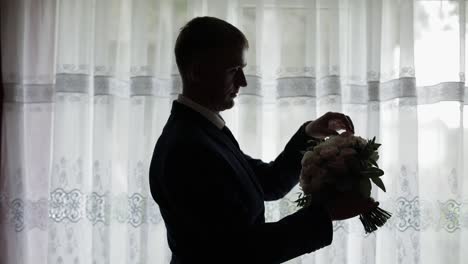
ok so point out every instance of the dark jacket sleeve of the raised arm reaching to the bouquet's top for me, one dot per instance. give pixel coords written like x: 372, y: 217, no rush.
x: 281, y: 175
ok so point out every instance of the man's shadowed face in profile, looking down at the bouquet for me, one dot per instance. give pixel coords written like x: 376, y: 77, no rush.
x: 223, y: 79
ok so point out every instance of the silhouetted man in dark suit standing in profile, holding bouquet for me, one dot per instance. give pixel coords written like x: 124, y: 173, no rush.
x: 211, y: 195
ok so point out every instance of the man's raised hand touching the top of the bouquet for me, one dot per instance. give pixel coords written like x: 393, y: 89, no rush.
x: 328, y: 124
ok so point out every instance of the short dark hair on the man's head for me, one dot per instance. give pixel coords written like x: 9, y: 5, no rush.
x: 203, y: 36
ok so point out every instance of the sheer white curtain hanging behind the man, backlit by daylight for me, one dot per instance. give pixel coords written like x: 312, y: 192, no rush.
x: 89, y: 83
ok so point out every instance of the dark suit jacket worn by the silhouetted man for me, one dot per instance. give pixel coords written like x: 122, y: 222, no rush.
x: 211, y: 196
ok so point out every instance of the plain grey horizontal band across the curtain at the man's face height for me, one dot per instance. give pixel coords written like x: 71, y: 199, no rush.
x: 373, y: 91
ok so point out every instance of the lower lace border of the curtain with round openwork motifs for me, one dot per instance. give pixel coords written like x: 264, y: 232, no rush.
x: 137, y: 209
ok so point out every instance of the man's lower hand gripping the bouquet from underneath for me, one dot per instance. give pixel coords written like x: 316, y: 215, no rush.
x: 348, y: 205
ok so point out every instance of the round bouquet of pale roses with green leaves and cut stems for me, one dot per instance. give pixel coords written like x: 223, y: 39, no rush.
x: 352, y: 161
